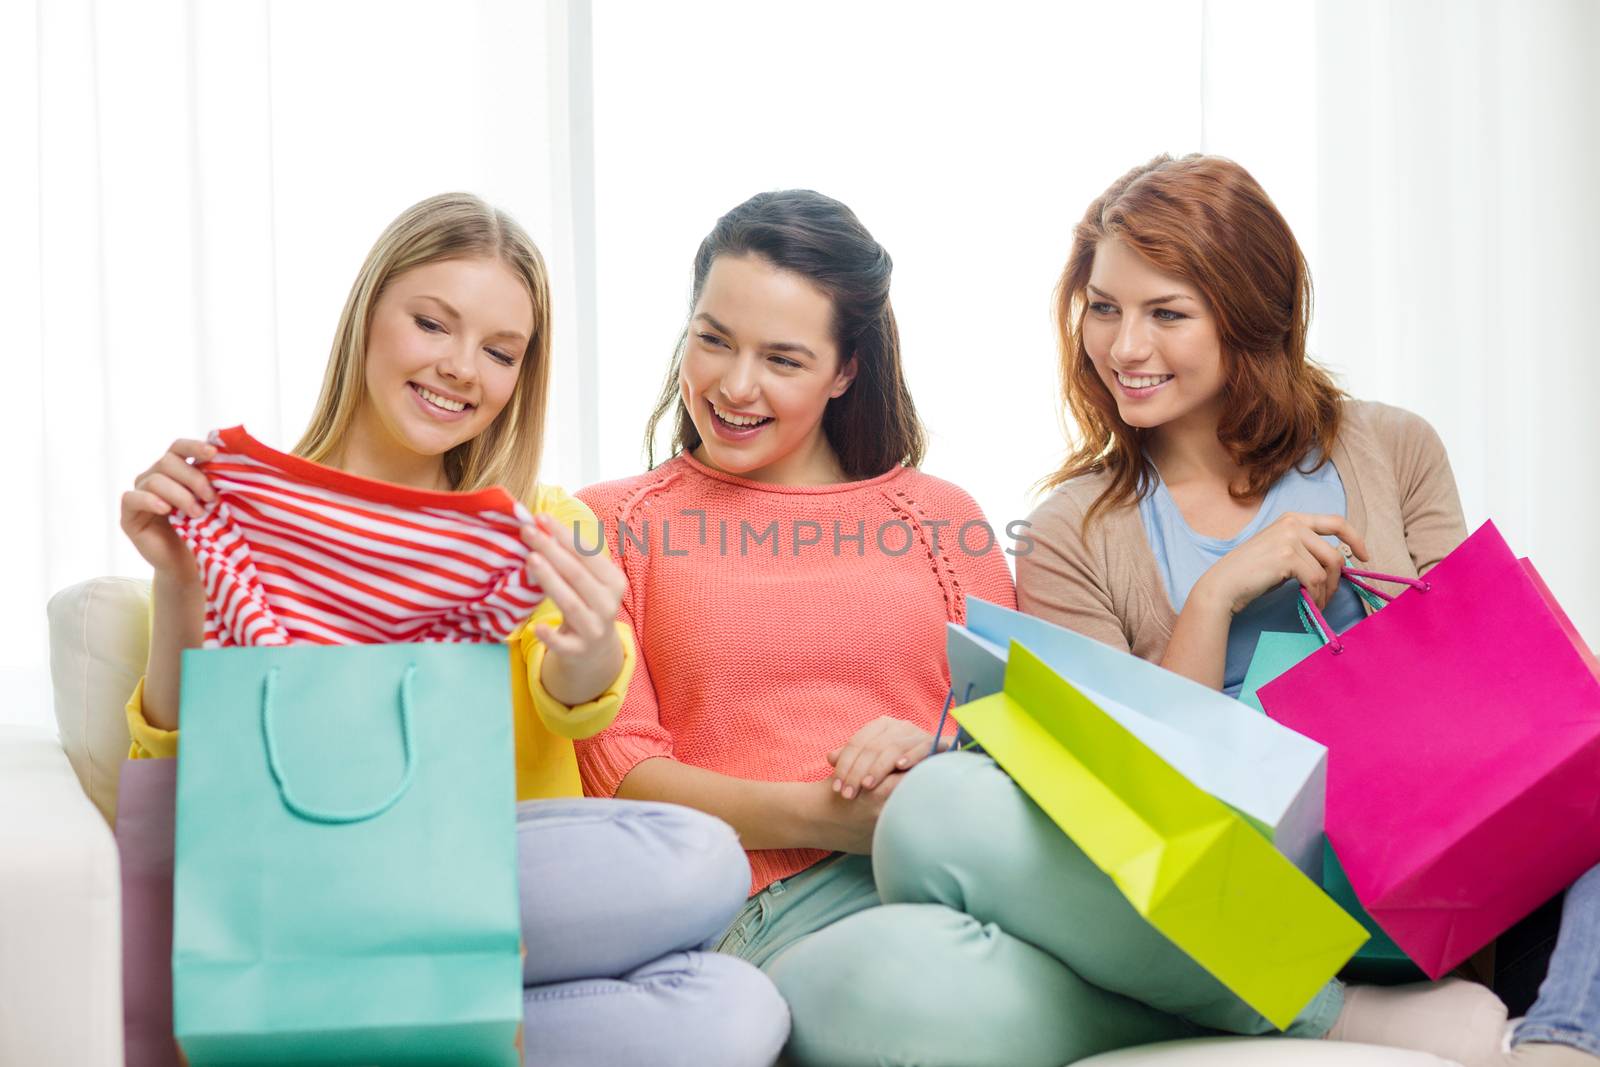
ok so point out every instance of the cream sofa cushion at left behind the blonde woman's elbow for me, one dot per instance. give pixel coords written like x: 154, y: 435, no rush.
x: 100, y: 633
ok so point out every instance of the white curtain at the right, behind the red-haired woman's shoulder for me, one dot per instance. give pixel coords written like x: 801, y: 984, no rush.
x: 1460, y: 222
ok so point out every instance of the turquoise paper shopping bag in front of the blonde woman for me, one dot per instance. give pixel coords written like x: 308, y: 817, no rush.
x: 346, y: 857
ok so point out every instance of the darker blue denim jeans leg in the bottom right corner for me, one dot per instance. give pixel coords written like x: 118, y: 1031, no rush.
x: 1569, y: 1007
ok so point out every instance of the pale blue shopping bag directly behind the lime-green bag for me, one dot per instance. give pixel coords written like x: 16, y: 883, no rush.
x: 1268, y: 773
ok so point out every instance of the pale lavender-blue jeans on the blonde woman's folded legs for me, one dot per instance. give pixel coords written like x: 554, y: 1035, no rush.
x: 618, y: 903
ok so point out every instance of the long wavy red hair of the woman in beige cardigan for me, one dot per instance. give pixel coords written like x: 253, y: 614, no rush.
x: 1204, y: 220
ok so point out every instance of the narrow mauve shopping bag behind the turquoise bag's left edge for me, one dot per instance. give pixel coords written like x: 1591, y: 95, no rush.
x: 146, y: 797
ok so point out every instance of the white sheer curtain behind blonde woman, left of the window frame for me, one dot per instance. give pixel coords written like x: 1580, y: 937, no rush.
x: 191, y: 188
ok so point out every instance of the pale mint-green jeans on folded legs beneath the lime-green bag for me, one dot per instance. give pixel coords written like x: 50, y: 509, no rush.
x: 978, y: 937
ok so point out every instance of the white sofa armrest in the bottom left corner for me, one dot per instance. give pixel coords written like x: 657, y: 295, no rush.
x: 60, y: 913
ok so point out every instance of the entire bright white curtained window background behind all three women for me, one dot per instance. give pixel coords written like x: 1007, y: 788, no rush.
x: 194, y: 186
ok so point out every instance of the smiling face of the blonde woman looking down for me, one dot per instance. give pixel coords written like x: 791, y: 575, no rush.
x: 444, y: 353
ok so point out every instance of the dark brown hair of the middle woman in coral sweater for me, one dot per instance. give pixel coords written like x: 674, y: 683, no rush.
x: 874, y: 425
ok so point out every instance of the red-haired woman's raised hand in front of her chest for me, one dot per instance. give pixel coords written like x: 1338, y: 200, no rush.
x: 1290, y: 548
